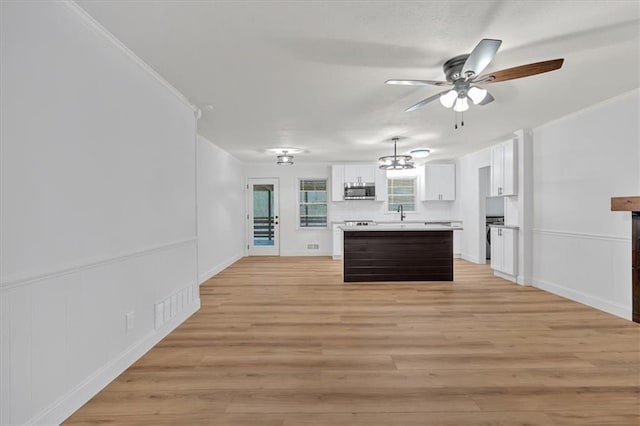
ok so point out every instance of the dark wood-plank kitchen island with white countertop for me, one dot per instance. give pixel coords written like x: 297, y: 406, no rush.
x: 405, y: 252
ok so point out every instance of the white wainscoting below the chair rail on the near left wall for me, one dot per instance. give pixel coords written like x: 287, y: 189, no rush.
x: 71, y: 329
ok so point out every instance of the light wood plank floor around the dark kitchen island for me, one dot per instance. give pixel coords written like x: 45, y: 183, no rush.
x: 282, y: 341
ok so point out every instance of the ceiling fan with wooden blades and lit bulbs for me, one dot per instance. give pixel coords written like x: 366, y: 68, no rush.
x: 463, y: 73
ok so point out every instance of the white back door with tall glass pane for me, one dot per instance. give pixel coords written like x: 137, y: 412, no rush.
x: 263, y: 217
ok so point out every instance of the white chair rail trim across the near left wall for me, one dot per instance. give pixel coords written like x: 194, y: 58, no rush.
x: 13, y: 282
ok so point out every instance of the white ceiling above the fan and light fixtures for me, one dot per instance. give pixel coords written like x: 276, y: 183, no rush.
x: 310, y: 74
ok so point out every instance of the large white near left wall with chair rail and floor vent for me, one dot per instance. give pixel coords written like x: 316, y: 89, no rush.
x: 98, y: 215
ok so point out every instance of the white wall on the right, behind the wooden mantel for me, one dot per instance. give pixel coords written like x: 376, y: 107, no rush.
x: 582, y: 250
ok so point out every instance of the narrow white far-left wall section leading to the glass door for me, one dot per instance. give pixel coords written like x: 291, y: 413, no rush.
x: 221, y: 209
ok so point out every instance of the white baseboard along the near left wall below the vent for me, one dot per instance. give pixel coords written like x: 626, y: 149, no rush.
x: 66, y: 405
